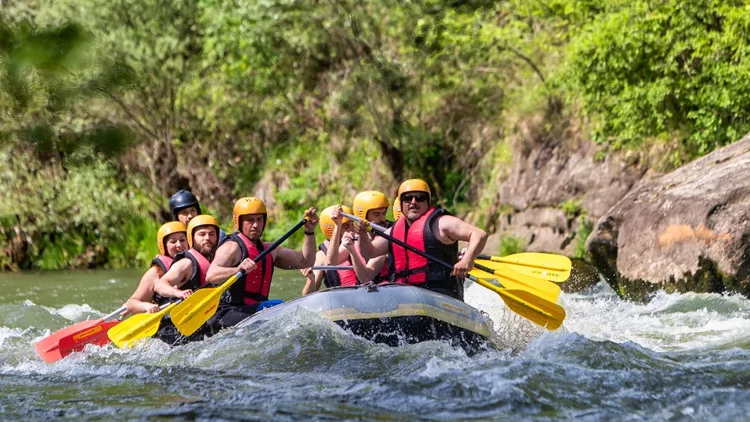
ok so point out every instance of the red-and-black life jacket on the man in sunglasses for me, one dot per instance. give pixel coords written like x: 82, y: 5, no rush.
x: 414, y: 269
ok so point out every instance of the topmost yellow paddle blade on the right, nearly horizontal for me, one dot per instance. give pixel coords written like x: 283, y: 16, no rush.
x: 543, y: 265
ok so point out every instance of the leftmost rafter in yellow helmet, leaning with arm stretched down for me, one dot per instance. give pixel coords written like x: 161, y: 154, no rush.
x: 171, y: 240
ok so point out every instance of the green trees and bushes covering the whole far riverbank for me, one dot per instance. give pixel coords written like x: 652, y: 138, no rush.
x: 307, y: 103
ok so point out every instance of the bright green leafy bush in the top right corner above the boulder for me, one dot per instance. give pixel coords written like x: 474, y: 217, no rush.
x: 670, y: 70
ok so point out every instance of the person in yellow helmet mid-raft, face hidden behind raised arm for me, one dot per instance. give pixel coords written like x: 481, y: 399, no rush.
x: 331, y: 278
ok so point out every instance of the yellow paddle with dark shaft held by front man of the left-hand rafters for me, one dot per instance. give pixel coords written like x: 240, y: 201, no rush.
x: 201, y: 305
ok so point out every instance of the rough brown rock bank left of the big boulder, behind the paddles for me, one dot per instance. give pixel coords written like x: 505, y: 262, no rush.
x: 554, y: 188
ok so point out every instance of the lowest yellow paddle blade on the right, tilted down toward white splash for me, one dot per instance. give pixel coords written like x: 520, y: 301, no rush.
x: 537, y: 310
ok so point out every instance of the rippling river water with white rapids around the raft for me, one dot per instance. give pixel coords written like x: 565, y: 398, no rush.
x: 680, y: 357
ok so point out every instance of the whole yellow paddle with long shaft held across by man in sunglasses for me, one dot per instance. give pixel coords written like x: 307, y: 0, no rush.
x: 523, y: 302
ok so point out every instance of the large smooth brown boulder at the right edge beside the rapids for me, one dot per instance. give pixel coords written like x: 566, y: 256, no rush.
x: 688, y: 230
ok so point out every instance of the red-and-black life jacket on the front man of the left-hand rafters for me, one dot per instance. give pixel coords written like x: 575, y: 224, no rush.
x: 254, y: 286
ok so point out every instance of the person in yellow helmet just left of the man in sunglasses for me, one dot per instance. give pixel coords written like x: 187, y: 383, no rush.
x: 371, y: 206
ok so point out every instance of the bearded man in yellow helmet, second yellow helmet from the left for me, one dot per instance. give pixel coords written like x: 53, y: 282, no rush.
x: 187, y: 273
